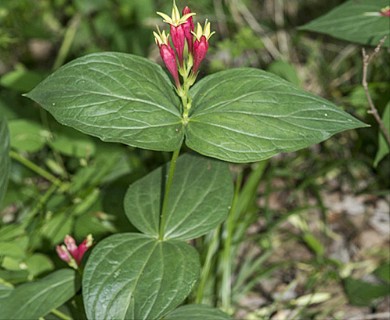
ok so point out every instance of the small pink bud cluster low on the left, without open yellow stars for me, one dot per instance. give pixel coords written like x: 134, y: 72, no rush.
x: 71, y: 253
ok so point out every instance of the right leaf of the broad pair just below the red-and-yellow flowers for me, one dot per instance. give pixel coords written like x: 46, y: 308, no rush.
x: 246, y: 115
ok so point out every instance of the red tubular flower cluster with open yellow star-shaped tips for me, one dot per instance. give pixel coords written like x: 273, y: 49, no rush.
x: 189, y: 47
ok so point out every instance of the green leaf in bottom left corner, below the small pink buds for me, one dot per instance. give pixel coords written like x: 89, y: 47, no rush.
x: 36, y: 299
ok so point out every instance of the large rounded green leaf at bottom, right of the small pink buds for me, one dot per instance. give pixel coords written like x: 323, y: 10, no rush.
x: 131, y: 276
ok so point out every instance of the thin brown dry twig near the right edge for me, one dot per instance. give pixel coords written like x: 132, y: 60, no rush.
x: 367, y: 58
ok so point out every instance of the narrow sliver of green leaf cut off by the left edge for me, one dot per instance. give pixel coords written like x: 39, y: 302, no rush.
x: 4, y: 158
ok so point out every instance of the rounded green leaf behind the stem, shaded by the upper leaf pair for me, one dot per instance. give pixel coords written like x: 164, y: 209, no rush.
x: 201, y: 194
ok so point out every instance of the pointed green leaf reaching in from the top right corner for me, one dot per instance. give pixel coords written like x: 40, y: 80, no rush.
x: 356, y: 21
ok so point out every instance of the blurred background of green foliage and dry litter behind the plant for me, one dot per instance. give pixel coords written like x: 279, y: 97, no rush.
x: 295, y: 246
